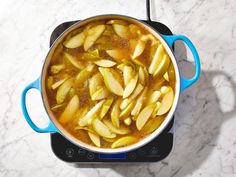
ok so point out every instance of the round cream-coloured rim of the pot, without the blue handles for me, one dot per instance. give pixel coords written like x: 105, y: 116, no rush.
x: 80, y: 143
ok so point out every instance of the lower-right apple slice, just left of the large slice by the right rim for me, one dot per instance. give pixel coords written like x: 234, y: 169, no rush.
x: 144, y: 115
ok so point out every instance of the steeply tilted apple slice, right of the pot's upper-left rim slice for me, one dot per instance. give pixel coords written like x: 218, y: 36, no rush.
x: 93, y: 34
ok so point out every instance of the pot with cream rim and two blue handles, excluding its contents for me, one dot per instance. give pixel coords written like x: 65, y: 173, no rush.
x: 53, y: 125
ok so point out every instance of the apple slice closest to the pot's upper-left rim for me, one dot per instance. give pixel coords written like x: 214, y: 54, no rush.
x: 75, y: 41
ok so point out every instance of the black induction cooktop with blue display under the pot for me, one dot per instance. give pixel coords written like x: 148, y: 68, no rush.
x: 154, y: 151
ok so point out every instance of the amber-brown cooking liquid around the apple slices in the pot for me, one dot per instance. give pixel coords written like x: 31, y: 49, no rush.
x: 109, y: 39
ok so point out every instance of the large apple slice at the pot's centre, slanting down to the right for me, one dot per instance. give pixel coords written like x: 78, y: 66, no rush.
x: 111, y: 82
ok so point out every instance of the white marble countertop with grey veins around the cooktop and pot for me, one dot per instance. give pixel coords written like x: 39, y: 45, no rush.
x: 206, y: 115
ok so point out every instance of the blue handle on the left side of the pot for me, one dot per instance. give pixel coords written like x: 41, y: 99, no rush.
x: 50, y: 127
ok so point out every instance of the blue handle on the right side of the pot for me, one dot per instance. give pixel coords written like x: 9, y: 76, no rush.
x: 185, y: 83
